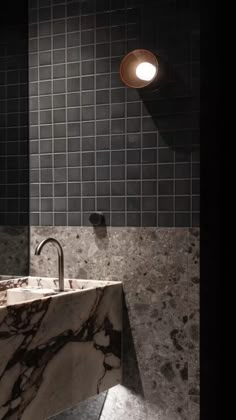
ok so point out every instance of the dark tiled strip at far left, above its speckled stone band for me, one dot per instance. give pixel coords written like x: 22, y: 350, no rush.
x: 14, y: 139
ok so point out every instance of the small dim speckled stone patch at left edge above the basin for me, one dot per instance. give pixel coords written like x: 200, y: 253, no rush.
x: 14, y: 250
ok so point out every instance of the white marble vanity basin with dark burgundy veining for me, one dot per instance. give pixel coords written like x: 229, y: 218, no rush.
x: 57, y: 349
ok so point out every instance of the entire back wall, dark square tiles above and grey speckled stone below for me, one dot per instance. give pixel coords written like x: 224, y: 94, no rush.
x: 97, y: 146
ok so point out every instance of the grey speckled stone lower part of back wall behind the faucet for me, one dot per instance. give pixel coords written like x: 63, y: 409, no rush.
x: 159, y: 268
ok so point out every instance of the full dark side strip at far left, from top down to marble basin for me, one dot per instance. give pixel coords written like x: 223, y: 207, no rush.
x: 14, y: 141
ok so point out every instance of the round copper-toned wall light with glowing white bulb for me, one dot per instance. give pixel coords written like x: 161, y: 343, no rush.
x: 139, y: 69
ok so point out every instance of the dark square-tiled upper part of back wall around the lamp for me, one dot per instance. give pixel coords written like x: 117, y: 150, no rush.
x: 96, y: 145
